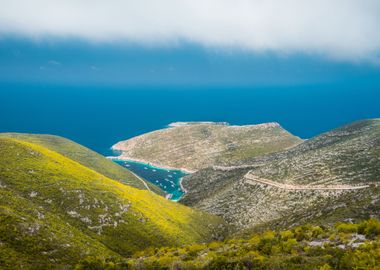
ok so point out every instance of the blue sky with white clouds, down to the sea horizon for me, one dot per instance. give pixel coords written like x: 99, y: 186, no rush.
x: 241, y: 42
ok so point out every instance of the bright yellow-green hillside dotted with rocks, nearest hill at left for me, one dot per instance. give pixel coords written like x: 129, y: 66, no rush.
x: 55, y: 211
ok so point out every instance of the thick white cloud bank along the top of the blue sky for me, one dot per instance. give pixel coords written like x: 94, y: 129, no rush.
x: 343, y: 29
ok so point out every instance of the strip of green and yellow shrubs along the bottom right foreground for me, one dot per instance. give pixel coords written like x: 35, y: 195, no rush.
x: 344, y: 246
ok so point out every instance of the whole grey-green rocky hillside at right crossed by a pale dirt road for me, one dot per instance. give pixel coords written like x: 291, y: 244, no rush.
x: 328, y: 178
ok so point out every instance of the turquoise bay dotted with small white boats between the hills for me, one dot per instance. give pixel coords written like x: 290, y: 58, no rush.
x: 167, y: 180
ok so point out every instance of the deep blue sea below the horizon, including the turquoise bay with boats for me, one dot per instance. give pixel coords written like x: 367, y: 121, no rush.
x: 100, y: 116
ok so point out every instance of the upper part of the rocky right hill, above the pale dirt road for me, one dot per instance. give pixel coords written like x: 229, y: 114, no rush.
x: 346, y: 155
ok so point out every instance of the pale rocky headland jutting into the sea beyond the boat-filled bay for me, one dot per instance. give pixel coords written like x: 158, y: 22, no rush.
x: 193, y: 146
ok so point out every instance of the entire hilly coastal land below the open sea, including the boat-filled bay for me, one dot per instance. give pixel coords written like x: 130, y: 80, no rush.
x: 71, y: 207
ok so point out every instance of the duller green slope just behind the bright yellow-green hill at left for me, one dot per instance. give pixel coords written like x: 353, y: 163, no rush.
x: 85, y: 157
